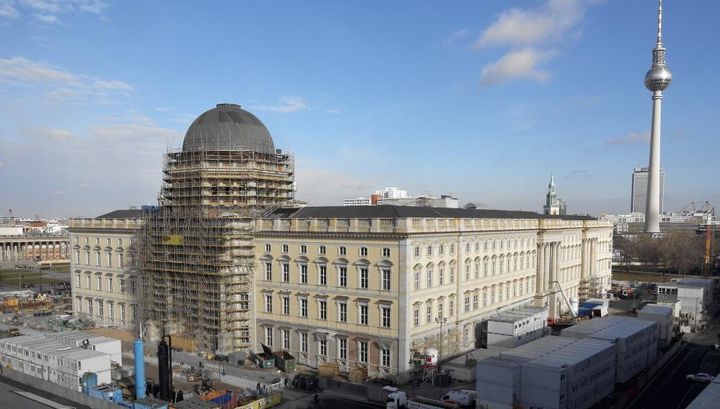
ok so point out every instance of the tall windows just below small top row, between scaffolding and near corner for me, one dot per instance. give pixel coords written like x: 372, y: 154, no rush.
x: 341, y: 275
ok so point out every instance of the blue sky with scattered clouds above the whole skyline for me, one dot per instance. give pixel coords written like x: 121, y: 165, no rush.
x: 481, y: 100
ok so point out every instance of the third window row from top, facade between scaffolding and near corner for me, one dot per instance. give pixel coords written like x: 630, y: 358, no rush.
x: 322, y: 310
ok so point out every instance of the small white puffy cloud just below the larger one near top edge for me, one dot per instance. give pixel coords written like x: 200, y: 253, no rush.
x: 518, y: 64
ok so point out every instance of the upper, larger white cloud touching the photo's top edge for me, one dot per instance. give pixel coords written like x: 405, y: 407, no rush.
x: 522, y: 27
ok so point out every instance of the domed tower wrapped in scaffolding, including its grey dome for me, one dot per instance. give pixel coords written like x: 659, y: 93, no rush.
x: 197, y: 251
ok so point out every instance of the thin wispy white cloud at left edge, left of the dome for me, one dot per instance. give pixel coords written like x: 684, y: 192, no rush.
x: 54, y: 85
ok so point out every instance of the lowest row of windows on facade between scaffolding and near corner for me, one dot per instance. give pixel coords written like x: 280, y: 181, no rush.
x: 321, y: 347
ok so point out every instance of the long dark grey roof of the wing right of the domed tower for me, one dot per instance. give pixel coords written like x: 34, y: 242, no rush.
x: 392, y: 211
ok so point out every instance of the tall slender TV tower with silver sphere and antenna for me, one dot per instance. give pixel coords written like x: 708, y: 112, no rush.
x: 656, y: 80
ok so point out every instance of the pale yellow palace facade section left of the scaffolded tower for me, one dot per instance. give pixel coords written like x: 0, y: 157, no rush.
x: 105, y: 288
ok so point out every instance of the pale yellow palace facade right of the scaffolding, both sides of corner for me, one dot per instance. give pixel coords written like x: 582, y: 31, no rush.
x: 461, y: 269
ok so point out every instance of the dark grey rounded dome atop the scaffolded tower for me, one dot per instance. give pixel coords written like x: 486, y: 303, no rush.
x: 228, y: 127
